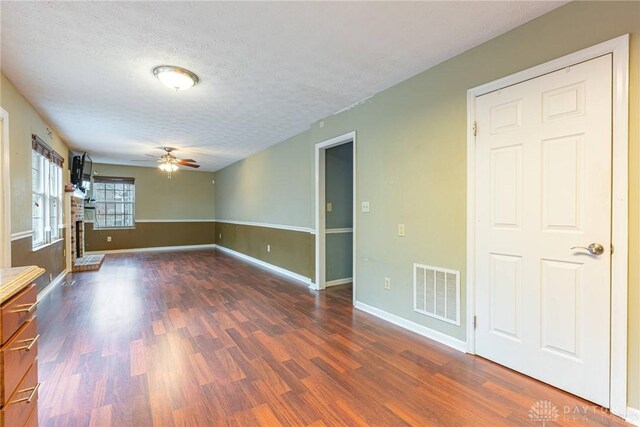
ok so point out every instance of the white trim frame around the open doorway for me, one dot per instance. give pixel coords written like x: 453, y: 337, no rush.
x: 320, y: 150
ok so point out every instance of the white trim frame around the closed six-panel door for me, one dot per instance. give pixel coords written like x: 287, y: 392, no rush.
x: 619, y: 47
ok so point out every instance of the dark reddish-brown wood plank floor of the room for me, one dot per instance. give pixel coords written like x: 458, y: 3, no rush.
x: 200, y: 338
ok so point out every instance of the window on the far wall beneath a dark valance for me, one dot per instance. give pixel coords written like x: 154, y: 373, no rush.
x: 115, y: 202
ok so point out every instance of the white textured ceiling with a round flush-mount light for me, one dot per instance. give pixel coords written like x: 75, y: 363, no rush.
x: 267, y: 70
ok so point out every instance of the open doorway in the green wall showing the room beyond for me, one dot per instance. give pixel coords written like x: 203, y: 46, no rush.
x: 335, y: 216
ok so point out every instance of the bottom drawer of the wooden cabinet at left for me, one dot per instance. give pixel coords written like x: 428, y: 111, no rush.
x: 22, y: 402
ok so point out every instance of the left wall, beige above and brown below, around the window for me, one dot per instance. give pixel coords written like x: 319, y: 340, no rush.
x: 24, y: 121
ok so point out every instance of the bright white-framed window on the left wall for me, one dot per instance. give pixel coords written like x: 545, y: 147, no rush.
x: 46, y: 174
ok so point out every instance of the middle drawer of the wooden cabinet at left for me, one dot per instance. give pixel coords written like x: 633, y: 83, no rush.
x: 17, y: 356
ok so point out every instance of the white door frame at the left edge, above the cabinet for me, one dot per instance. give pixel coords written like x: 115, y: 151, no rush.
x: 5, y: 188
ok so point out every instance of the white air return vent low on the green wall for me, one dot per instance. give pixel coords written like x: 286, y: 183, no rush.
x: 436, y: 293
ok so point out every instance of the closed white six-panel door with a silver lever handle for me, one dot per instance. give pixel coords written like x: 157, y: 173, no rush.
x: 543, y: 174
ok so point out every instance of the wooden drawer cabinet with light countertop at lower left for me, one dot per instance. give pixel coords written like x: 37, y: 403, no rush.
x: 19, y: 384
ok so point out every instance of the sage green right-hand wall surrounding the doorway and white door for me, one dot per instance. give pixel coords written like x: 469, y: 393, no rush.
x: 411, y: 163
